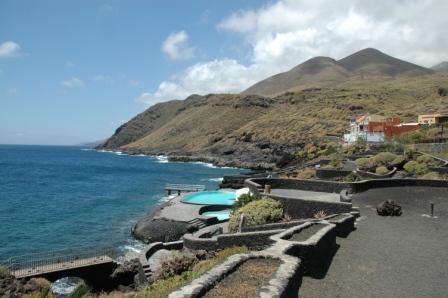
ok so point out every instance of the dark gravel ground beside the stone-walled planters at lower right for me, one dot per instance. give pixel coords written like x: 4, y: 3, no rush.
x: 404, y: 256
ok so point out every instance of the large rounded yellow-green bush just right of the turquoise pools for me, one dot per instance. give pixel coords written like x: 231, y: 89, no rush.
x: 258, y: 212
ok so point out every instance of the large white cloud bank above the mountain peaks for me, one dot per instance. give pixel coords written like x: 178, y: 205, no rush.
x: 285, y: 33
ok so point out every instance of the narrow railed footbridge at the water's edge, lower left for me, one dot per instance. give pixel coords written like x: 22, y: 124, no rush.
x: 34, y: 264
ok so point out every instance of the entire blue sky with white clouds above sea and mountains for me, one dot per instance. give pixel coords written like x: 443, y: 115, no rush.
x: 73, y: 71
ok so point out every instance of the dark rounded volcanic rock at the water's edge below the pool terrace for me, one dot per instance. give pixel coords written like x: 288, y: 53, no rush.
x: 151, y: 230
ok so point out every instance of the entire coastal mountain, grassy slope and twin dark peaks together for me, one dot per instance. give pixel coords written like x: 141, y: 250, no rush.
x: 259, y: 131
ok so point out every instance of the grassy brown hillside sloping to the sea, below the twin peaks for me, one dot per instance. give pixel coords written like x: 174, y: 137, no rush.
x: 257, y: 131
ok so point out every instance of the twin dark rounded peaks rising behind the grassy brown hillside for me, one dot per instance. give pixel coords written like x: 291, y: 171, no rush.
x: 324, y: 71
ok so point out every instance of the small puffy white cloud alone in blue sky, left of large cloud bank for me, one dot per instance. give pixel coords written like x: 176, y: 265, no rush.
x: 176, y: 46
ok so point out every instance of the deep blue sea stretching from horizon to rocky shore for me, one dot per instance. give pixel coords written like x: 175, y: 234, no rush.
x: 59, y: 197
